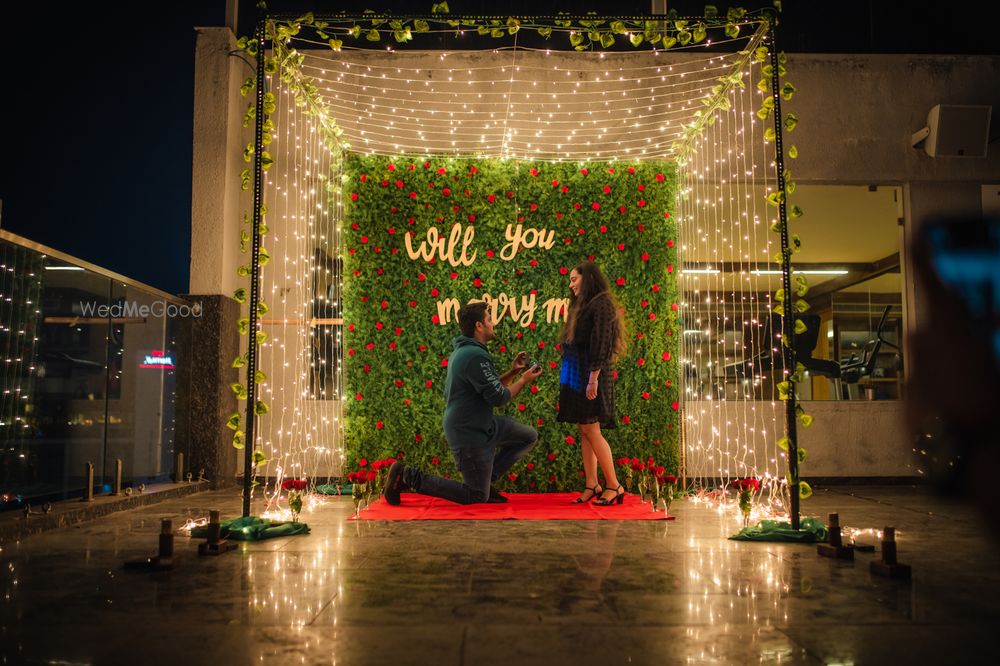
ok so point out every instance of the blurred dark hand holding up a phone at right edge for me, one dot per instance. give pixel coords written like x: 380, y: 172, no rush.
x: 956, y: 344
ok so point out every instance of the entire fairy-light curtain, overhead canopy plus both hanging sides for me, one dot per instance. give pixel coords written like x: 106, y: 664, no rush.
x: 523, y: 104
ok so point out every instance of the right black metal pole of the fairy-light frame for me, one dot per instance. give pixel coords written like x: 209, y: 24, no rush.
x: 788, y: 320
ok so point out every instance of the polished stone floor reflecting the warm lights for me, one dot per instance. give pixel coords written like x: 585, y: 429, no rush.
x: 510, y: 593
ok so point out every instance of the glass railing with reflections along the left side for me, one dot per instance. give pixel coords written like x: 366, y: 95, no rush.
x: 88, y: 370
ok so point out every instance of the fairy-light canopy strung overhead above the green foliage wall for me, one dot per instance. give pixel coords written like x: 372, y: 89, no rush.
x: 550, y: 105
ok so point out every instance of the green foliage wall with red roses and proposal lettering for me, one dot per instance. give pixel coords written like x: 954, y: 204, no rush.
x: 513, y: 231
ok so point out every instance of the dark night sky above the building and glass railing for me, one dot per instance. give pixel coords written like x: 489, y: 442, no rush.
x: 97, y: 109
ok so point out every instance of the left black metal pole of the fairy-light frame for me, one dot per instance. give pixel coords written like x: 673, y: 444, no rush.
x: 258, y: 195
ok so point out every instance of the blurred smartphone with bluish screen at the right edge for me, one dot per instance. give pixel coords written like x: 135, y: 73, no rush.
x: 965, y: 256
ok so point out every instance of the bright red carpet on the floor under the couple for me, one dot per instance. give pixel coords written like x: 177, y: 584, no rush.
x: 522, y: 506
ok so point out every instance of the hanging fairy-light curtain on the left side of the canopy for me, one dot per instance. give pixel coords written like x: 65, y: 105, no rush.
x: 299, y: 437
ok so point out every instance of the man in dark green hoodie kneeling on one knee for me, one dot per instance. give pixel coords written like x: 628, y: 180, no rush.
x: 485, y: 446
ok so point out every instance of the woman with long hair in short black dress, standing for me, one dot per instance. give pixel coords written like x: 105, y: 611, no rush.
x: 592, y: 338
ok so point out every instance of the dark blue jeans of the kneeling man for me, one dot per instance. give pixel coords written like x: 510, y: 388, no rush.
x: 482, y: 465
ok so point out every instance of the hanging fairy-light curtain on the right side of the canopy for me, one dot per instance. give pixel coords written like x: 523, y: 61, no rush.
x: 731, y: 354
